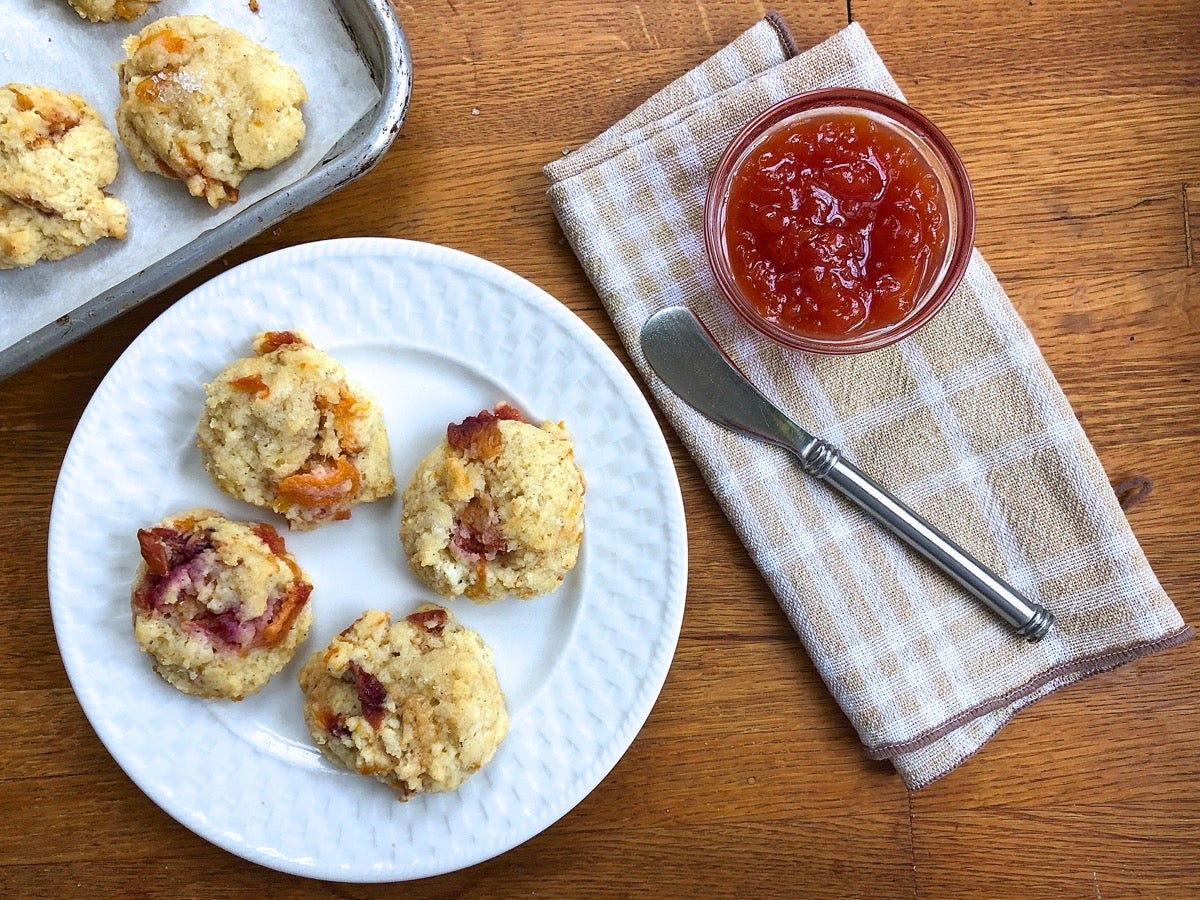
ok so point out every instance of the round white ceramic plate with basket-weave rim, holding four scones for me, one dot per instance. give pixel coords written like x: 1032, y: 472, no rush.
x: 436, y: 335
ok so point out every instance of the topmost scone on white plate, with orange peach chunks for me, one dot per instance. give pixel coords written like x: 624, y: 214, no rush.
x: 286, y: 430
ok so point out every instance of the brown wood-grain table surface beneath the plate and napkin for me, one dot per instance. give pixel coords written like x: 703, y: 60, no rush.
x: 1081, y: 127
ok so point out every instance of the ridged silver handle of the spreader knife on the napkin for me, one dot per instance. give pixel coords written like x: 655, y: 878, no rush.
x: 1029, y: 620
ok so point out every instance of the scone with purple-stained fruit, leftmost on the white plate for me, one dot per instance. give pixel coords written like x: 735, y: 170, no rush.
x: 221, y: 607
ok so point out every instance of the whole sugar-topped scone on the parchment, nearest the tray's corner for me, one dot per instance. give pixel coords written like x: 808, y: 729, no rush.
x: 203, y: 104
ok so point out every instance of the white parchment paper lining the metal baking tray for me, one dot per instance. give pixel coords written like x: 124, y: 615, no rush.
x: 46, y: 43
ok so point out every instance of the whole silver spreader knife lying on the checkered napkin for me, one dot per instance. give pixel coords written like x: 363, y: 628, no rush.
x: 685, y: 356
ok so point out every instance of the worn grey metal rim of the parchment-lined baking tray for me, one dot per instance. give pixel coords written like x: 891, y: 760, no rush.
x: 381, y: 41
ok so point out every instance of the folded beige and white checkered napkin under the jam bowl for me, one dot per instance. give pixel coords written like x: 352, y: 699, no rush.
x: 964, y: 422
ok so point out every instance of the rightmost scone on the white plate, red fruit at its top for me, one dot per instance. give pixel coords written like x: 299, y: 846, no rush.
x: 496, y: 509
